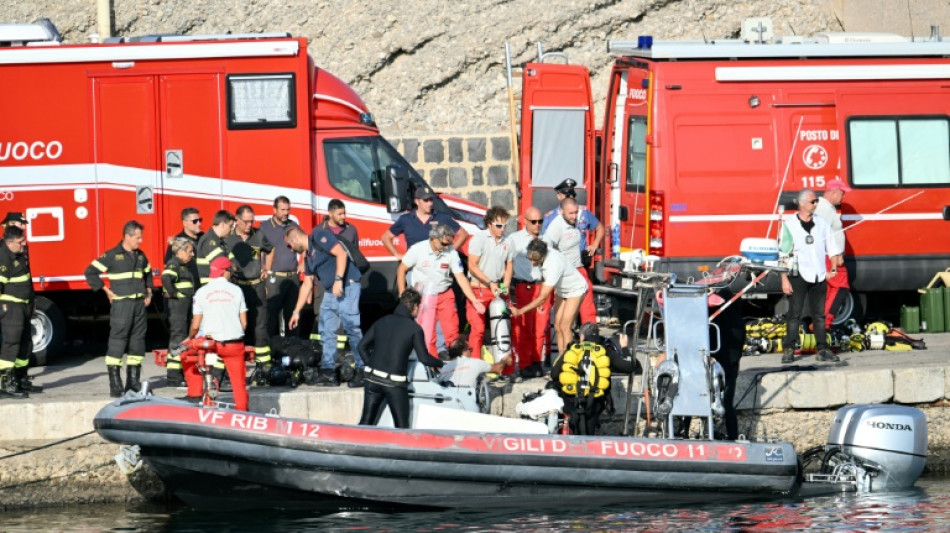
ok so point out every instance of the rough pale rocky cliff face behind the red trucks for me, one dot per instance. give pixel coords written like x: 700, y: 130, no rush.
x: 426, y: 66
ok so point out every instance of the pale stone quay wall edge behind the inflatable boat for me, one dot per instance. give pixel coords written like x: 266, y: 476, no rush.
x: 49, y: 454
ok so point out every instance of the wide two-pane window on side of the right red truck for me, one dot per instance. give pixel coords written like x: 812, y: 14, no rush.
x: 899, y: 151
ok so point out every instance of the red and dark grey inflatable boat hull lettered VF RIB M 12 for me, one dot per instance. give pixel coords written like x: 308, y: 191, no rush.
x: 222, y: 458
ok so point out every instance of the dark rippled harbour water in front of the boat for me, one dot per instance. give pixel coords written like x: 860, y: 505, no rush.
x: 924, y: 508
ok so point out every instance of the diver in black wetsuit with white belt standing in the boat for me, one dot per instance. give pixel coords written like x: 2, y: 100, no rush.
x: 385, y: 380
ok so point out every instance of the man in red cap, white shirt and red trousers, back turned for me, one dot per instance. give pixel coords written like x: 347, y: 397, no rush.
x: 220, y: 313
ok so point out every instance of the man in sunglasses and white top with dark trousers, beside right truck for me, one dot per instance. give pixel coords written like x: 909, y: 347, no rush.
x: 808, y: 239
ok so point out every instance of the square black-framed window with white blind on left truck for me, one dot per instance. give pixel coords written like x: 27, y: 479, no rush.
x: 261, y: 101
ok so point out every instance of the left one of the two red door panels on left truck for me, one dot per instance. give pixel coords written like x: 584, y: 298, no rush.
x: 126, y: 158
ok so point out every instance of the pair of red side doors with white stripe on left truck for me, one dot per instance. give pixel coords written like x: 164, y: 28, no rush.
x: 157, y: 137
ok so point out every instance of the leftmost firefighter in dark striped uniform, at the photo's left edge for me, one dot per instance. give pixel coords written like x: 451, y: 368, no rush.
x: 16, y: 306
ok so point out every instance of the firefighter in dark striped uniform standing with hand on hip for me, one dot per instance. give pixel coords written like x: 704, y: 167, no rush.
x: 130, y: 293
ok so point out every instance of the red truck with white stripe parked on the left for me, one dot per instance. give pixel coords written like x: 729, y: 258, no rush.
x: 94, y: 135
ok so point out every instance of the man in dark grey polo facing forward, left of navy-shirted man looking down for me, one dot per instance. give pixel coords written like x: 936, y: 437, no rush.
x: 283, y: 273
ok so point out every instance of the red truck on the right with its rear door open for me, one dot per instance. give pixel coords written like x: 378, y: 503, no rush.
x: 702, y: 140
